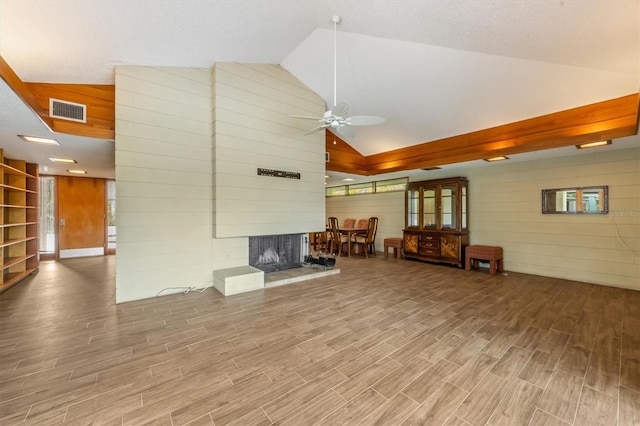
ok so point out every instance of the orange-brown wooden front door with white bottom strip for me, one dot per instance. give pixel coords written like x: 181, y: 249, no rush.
x: 81, y: 215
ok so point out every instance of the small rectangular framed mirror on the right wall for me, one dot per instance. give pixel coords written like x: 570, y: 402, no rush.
x: 581, y: 200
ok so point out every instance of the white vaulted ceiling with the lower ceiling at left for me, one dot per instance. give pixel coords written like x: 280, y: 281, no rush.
x: 432, y: 68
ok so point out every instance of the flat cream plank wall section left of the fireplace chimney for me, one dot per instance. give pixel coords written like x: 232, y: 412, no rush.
x: 163, y: 179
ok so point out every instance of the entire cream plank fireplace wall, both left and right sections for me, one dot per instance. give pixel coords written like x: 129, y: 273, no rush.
x: 179, y: 132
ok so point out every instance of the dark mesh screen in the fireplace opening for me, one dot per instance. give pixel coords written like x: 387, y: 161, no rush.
x: 275, y: 252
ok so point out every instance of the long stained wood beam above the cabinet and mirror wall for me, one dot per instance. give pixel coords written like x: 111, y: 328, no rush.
x: 610, y: 119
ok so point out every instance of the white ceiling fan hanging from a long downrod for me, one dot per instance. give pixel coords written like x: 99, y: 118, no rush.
x: 337, y: 118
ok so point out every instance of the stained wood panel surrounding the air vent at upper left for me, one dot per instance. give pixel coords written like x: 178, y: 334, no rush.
x: 99, y: 99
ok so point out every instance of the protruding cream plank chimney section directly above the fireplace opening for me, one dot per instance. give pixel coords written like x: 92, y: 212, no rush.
x: 253, y: 130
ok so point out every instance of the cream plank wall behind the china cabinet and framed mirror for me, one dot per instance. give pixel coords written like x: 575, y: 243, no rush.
x: 505, y: 210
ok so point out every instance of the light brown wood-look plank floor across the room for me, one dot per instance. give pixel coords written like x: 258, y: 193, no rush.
x: 387, y: 341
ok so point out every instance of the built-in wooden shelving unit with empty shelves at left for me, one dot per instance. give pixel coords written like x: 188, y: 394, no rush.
x: 18, y: 221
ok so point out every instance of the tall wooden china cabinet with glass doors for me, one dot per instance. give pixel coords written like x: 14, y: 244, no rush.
x: 437, y: 220
